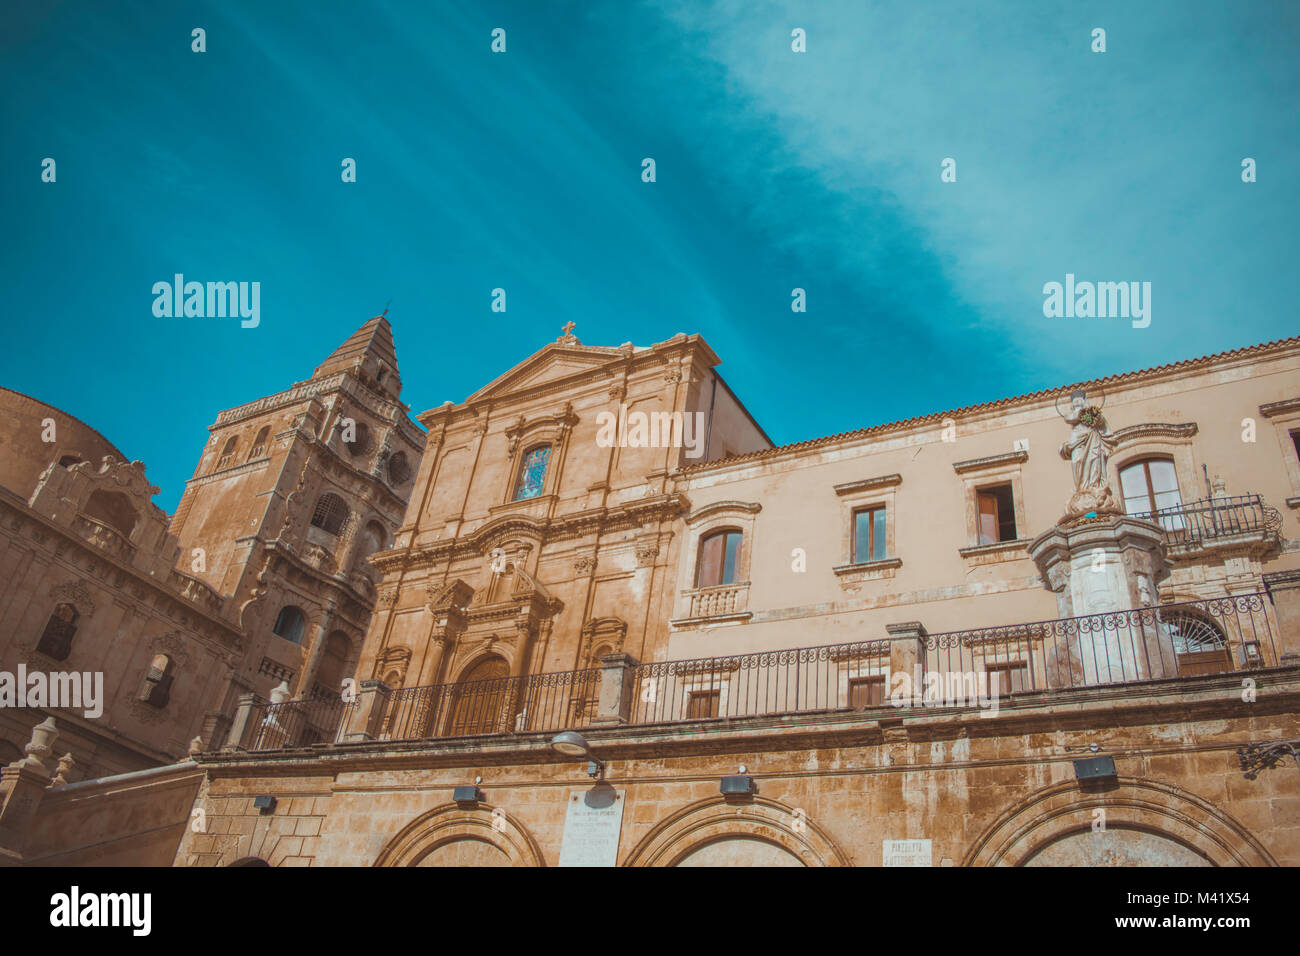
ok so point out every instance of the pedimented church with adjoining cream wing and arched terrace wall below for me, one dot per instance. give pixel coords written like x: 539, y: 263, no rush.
x: 1103, y: 581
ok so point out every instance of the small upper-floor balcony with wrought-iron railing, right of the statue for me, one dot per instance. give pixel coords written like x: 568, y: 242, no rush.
x: 1210, y: 525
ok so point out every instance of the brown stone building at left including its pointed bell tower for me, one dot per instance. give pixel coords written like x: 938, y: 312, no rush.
x: 259, y: 578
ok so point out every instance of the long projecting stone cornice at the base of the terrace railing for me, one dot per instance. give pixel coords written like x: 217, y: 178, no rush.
x: 1102, y: 707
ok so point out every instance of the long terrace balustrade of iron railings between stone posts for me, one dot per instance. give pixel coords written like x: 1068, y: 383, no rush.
x: 911, y: 668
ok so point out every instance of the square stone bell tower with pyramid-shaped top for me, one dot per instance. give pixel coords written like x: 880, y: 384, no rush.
x: 291, y: 498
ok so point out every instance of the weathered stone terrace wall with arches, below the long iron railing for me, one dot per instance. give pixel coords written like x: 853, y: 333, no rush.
x: 985, y: 789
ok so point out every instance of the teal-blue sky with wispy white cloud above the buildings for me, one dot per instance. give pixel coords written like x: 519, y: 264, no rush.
x: 523, y: 171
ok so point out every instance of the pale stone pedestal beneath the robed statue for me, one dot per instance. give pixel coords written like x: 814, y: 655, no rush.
x: 1100, y: 568
